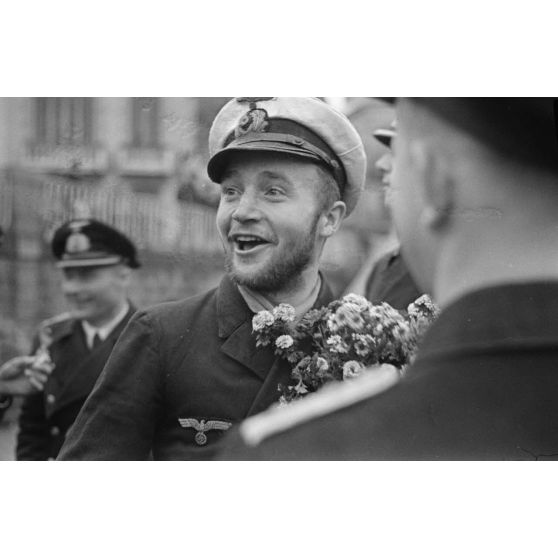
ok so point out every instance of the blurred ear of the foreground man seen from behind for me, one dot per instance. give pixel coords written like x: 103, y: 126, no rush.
x: 436, y: 187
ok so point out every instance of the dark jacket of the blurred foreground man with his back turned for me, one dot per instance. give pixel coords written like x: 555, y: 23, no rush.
x: 484, y: 386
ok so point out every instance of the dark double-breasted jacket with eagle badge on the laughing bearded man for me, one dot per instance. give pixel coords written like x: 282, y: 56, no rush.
x: 180, y: 375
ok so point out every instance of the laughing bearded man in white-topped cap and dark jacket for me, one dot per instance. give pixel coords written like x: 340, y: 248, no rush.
x: 182, y: 373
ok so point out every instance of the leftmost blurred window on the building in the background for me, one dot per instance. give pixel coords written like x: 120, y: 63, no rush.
x: 64, y: 120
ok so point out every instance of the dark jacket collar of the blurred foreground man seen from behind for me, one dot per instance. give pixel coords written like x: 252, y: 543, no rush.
x: 512, y: 316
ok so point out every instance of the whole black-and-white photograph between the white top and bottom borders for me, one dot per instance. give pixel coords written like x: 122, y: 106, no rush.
x: 279, y: 278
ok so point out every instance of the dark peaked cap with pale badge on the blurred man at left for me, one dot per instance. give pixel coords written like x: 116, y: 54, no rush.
x: 89, y: 243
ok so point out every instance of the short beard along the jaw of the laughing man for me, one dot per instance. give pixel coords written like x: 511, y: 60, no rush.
x: 284, y: 271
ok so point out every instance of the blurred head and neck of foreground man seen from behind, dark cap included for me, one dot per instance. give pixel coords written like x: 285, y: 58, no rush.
x: 479, y: 190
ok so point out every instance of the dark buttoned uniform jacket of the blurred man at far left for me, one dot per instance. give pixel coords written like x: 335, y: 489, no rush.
x: 46, y: 416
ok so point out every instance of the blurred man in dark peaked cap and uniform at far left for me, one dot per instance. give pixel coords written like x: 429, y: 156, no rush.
x: 95, y: 262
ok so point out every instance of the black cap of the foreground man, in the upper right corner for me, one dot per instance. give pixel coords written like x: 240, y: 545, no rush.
x: 522, y: 128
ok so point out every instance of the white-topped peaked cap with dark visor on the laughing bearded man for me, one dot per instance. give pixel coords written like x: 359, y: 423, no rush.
x: 300, y: 126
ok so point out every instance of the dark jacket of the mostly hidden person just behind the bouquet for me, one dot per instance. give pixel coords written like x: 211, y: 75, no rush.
x: 391, y: 282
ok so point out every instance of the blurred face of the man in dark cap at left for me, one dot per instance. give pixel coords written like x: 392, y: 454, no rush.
x: 95, y: 294
